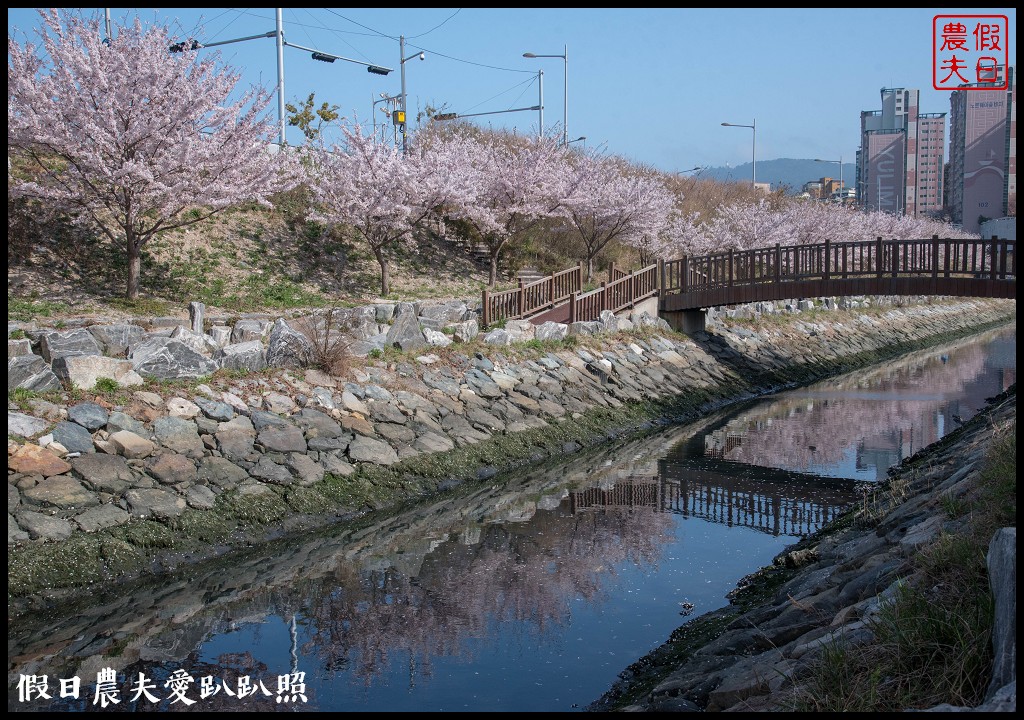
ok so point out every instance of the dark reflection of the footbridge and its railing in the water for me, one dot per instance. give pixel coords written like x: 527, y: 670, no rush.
x: 779, y: 502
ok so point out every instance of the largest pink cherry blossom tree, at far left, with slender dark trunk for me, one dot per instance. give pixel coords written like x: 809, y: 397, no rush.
x: 131, y: 138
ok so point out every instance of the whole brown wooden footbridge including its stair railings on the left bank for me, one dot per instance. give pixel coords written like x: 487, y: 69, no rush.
x: 934, y: 267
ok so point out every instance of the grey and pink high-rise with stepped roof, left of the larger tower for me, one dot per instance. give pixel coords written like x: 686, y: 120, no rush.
x: 903, y: 151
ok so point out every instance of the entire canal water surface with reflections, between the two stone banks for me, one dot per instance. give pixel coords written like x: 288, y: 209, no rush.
x: 528, y: 594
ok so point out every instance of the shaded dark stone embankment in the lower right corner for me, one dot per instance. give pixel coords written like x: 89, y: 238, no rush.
x: 836, y: 585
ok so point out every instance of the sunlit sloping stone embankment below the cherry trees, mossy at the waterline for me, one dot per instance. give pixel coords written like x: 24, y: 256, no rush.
x: 98, y: 483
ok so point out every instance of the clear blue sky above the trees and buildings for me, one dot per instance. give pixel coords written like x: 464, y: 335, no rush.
x: 653, y: 86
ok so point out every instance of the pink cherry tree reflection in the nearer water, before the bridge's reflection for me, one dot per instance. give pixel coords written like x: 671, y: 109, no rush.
x: 526, y: 573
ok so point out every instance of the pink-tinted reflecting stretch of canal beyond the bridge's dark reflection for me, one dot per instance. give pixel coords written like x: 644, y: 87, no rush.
x: 863, y: 425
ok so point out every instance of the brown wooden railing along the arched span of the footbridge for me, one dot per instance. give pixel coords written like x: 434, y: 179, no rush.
x: 936, y: 258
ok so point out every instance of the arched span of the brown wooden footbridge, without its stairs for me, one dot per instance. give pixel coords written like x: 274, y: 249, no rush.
x: 936, y: 267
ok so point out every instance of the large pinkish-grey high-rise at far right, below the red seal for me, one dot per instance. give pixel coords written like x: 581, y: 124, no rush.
x: 984, y: 151
